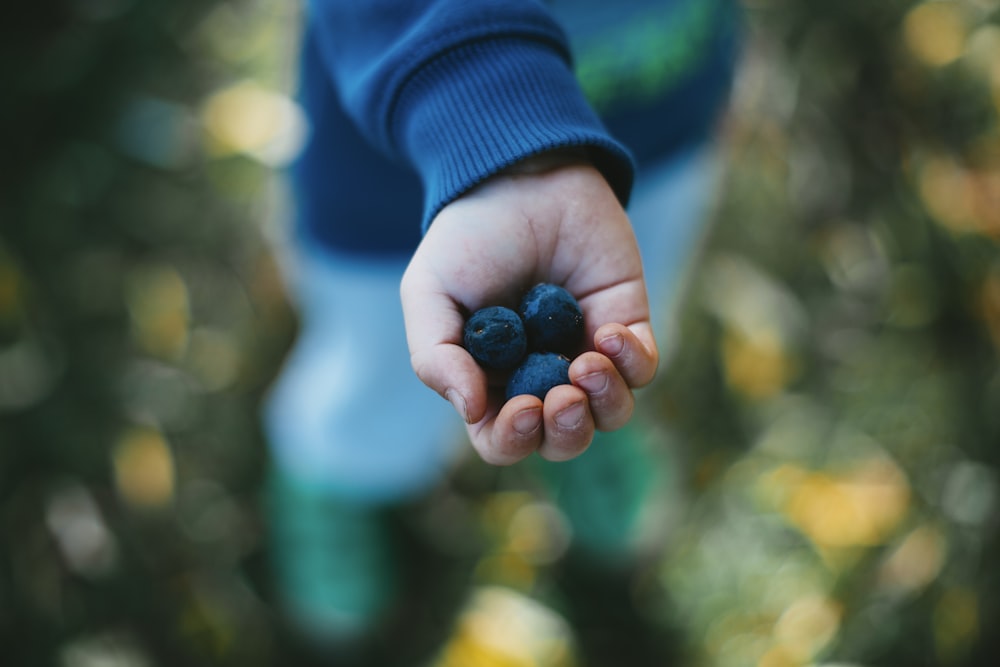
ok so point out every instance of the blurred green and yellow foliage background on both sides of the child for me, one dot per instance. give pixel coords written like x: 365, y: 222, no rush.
x: 835, y: 396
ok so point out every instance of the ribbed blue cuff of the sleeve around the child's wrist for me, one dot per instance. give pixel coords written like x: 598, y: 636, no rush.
x: 483, y: 106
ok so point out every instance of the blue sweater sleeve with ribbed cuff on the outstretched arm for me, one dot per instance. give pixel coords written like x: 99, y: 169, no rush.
x: 461, y: 89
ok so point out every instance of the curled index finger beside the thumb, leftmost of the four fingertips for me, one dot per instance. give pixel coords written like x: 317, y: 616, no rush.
x: 514, y: 433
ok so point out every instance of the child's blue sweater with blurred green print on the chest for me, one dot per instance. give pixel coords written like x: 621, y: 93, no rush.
x: 456, y: 90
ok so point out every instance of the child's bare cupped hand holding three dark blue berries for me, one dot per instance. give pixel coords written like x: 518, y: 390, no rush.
x: 546, y: 222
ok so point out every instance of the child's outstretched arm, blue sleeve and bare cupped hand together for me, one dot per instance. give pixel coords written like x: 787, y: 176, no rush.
x: 461, y: 91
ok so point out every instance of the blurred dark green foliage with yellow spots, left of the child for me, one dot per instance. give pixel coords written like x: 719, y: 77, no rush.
x: 141, y: 317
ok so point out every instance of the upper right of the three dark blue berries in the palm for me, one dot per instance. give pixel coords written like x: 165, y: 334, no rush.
x: 552, y: 318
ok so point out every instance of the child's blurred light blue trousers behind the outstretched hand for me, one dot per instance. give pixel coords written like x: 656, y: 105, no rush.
x: 348, y: 414
